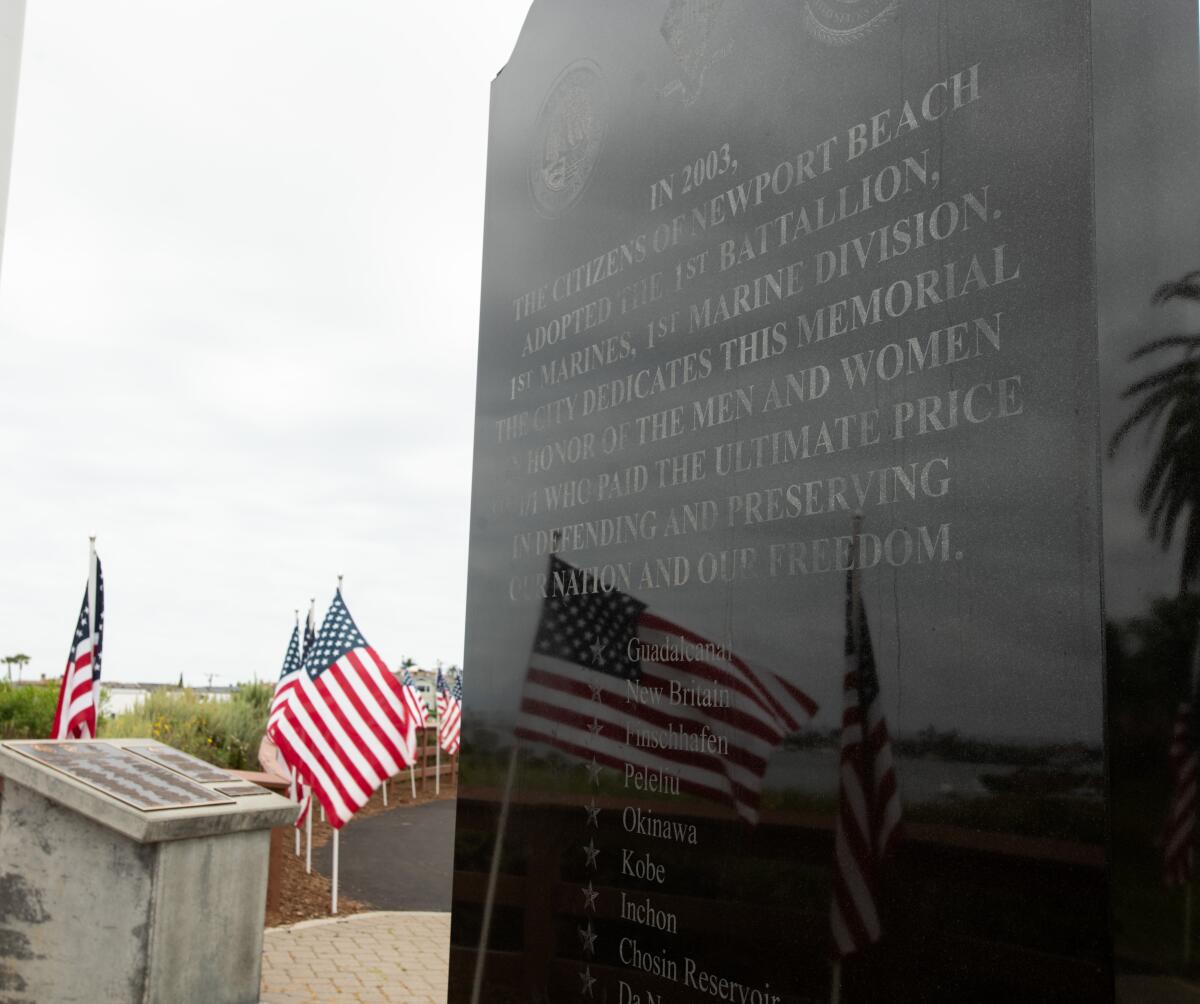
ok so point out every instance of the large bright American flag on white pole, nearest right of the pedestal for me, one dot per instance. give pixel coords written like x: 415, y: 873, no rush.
x: 345, y: 725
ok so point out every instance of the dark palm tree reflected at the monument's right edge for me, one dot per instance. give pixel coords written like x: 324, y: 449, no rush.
x: 1169, y: 400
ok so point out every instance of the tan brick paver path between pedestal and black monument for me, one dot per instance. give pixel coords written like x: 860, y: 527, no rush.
x: 370, y: 958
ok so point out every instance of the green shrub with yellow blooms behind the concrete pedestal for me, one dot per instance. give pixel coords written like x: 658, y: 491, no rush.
x: 225, y: 734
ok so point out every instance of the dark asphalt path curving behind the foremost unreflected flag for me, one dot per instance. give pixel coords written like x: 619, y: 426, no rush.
x: 399, y: 861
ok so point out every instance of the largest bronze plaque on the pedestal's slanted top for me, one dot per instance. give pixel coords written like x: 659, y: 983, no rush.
x: 122, y: 775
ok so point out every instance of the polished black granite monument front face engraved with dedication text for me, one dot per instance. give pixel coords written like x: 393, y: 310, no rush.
x: 785, y: 642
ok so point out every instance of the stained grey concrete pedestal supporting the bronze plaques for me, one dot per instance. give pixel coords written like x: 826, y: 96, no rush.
x: 101, y: 903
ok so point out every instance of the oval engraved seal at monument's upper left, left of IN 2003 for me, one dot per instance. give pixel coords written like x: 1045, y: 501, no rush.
x: 568, y: 139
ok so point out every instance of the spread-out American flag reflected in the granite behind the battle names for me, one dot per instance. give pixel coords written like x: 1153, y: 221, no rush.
x: 601, y: 683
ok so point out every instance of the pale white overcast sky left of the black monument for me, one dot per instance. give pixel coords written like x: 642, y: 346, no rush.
x: 238, y: 323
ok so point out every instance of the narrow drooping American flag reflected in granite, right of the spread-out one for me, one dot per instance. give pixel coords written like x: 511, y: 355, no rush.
x: 869, y: 802
